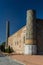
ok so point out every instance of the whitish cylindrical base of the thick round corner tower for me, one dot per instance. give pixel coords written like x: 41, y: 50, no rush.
x: 30, y: 49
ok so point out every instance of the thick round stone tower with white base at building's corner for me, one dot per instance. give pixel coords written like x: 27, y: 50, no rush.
x: 30, y: 44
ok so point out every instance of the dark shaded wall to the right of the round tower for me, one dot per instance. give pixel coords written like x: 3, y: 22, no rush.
x: 39, y: 36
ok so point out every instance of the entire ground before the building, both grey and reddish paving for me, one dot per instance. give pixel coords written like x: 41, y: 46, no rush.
x: 13, y: 59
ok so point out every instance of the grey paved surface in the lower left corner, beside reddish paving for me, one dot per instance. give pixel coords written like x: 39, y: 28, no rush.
x: 7, y: 61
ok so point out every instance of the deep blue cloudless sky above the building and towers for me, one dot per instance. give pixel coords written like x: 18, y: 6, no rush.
x: 15, y: 12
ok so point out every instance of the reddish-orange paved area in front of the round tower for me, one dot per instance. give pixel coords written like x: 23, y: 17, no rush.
x: 29, y: 59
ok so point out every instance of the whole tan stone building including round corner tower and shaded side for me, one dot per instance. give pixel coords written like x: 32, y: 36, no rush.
x: 29, y: 39
